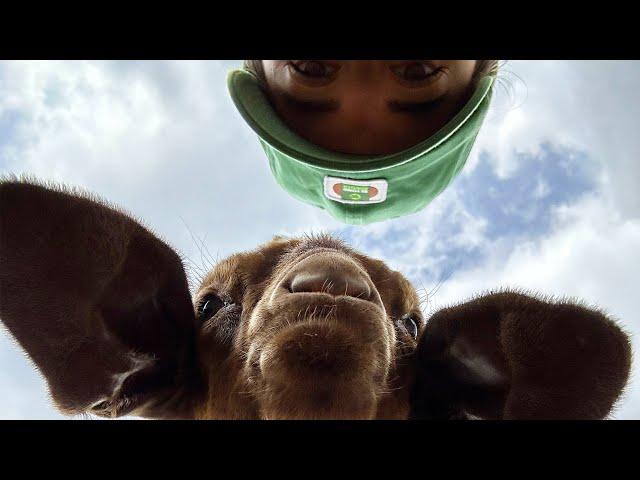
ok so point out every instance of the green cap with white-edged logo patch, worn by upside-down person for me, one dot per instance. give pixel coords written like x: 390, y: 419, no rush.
x: 357, y: 189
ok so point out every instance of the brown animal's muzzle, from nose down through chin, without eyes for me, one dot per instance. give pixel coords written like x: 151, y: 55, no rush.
x: 323, y: 344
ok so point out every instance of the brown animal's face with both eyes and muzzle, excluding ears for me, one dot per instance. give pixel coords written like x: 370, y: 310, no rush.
x: 306, y: 328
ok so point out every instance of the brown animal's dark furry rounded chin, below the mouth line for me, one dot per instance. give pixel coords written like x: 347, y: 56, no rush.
x: 320, y: 370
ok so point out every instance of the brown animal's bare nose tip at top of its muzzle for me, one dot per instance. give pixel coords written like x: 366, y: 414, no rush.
x: 333, y: 281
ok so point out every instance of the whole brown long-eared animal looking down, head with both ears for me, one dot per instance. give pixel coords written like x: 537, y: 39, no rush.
x: 302, y: 328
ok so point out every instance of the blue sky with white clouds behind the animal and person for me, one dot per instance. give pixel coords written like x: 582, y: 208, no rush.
x: 547, y: 203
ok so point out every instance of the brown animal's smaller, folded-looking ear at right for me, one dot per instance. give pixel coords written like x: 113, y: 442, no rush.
x: 512, y: 356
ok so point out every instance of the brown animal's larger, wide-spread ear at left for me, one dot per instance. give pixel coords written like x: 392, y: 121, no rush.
x: 99, y: 303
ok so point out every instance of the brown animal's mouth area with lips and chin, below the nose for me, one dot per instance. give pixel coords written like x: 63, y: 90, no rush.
x: 329, y: 359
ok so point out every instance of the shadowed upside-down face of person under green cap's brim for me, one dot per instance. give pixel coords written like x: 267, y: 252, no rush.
x: 368, y: 107
